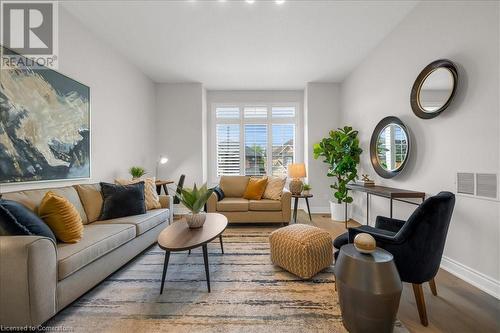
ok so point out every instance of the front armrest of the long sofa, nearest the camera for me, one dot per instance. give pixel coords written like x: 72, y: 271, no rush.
x: 28, y: 280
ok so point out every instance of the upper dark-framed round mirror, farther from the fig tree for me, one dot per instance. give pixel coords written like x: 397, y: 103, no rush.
x: 434, y: 89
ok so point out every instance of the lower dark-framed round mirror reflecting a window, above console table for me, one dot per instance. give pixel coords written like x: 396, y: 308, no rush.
x: 389, y: 147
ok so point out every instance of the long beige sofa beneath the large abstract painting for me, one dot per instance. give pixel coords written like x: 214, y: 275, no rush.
x: 38, y: 278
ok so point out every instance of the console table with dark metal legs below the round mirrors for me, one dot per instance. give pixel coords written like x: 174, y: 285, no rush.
x: 393, y: 194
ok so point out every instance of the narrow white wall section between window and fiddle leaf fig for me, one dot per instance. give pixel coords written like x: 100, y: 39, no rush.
x: 322, y: 115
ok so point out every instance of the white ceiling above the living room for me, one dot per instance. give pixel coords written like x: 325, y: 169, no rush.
x: 237, y: 45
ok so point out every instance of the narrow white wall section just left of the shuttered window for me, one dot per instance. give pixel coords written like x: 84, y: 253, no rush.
x: 180, y: 130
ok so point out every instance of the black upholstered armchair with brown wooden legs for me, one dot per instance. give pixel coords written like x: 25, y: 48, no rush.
x: 417, y: 244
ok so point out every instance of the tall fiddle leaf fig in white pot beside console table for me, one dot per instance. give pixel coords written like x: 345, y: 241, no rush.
x: 341, y: 152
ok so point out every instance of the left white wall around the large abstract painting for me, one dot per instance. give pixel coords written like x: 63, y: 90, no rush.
x: 122, y: 104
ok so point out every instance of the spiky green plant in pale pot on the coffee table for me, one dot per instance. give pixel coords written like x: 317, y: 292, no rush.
x: 195, y: 199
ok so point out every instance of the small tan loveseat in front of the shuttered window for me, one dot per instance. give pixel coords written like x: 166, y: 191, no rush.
x: 240, y: 210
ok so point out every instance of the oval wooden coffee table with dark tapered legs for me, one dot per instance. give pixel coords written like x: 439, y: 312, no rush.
x: 178, y: 237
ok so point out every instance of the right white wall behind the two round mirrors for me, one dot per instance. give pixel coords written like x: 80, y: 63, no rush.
x: 465, y: 137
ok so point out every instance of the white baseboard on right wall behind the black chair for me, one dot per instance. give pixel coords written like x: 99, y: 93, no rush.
x: 470, y: 275
